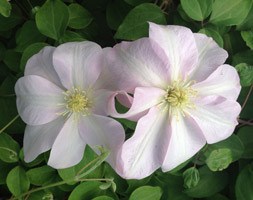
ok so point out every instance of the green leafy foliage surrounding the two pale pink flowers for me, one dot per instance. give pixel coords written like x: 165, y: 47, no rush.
x: 222, y: 171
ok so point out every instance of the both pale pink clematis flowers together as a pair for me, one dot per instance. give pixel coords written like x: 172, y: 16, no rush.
x: 183, y: 97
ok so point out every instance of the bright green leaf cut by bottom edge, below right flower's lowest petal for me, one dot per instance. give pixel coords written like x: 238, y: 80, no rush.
x: 147, y: 193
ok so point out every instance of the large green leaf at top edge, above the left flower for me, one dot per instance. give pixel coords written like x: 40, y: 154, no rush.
x: 52, y: 19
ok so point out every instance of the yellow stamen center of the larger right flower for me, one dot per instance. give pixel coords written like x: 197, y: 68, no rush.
x: 179, y: 96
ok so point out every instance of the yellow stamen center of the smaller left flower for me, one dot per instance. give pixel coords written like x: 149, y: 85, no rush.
x: 76, y: 101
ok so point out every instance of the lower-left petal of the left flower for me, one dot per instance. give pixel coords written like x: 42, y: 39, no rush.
x: 40, y: 138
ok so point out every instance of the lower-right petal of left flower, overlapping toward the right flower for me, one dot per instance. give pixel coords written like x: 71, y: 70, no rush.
x: 103, y: 131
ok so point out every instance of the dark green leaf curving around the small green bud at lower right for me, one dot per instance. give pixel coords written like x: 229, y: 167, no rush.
x: 209, y: 184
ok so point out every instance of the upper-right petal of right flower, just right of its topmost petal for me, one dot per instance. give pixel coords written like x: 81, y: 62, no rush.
x: 211, y: 56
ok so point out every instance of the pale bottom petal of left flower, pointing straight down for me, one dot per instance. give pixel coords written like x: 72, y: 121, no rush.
x: 68, y: 148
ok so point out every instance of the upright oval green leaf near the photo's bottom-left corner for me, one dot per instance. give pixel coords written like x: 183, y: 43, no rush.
x: 17, y: 181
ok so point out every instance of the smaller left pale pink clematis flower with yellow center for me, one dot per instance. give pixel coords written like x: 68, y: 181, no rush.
x: 61, y: 100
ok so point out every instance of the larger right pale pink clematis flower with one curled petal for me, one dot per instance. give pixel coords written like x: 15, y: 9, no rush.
x: 183, y: 97
